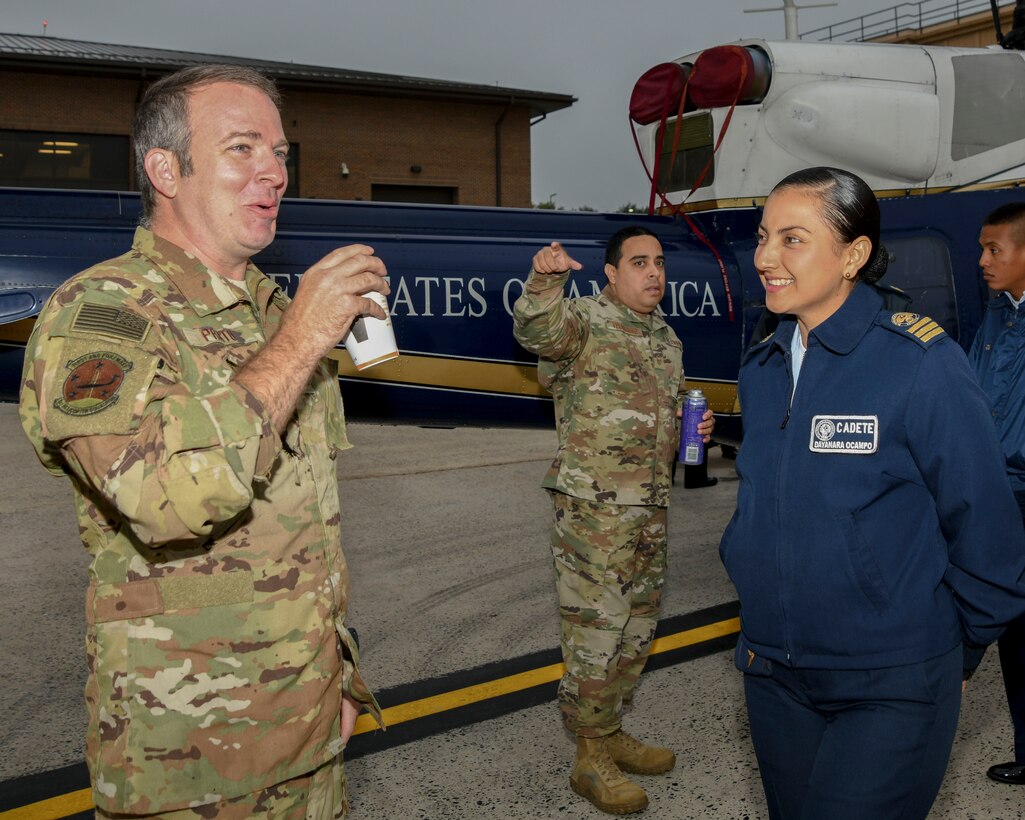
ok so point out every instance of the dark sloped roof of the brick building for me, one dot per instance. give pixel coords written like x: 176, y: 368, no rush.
x: 56, y: 54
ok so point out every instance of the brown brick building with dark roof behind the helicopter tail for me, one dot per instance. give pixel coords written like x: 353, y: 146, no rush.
x: 68, y: 108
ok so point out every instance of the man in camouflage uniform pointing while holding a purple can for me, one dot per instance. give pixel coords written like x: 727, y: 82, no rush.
x: 614, y: 368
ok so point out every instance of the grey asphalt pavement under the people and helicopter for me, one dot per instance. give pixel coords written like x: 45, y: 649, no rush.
x: 446, y: 534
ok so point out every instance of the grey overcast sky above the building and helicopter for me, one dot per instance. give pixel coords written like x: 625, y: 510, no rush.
x: 593, y: 50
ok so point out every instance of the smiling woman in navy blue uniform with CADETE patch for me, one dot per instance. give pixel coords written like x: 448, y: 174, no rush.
x: 877, y: 548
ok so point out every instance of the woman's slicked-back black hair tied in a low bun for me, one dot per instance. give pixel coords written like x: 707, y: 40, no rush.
x: 850, y: 208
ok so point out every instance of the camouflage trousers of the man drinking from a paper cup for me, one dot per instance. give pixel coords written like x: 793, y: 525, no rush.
x: 317, y: 796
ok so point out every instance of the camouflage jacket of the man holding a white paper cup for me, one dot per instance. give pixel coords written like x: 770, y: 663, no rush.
x: 218, y: 591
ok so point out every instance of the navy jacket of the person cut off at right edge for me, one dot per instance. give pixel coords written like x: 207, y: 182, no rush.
x: 998, y: 357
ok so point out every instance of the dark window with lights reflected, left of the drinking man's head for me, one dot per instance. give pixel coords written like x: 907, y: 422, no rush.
x: 47, y: 159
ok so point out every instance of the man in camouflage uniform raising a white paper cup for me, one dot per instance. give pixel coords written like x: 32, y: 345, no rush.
x: 191, y: 405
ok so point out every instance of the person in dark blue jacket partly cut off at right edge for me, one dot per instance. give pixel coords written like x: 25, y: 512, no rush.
x: 998, y: 357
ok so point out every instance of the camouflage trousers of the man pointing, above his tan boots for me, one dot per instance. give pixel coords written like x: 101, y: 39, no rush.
x: 610, y: 565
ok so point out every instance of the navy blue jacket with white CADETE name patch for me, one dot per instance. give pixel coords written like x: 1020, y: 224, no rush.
x: 875, y: 526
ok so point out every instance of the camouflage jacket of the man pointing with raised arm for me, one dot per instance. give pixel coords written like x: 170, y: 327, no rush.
x: 617, y: 379
